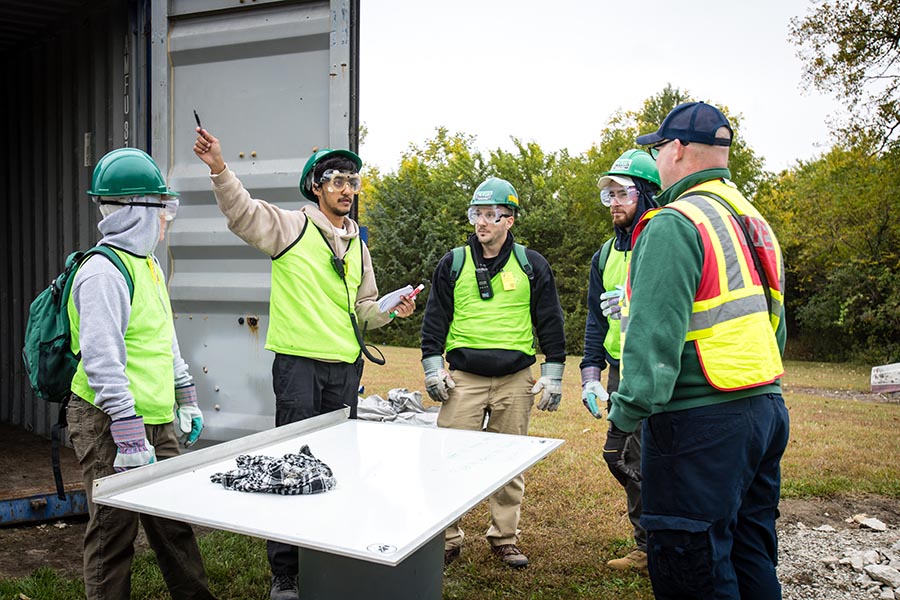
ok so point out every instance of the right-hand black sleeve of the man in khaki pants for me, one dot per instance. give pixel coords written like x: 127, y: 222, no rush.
x: 546, y: 311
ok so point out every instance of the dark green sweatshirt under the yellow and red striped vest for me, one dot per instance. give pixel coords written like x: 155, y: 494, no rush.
x: 661, y: 372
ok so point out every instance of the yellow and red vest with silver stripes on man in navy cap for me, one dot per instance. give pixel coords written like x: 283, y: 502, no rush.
x: 730, y: 323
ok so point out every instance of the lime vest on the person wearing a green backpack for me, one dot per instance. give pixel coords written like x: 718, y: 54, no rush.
x: 148, y: 343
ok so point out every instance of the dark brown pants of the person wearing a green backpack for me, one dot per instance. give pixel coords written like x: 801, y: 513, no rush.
x: 109, y: 538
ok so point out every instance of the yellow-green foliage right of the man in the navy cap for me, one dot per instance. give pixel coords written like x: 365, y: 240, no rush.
x: 837, y: 219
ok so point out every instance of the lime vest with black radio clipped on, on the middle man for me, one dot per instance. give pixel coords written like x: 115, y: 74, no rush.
x: 501, y: 322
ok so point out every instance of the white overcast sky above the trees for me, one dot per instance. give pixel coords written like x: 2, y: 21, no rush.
x: 554, y: 72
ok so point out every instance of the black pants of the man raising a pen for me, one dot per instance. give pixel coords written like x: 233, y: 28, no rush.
x: 305, y: 388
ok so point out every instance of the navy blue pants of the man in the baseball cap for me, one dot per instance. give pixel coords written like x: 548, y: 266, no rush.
x: 711, y: 484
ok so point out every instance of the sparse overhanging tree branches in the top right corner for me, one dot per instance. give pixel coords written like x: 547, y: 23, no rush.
x: 851, y: 48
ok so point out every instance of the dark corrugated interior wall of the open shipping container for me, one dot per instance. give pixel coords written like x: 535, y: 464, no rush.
x: 69, y: 98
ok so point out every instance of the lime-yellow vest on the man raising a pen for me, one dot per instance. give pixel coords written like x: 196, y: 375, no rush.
x: 308, y: 311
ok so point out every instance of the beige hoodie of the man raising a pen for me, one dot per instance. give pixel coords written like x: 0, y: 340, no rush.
x: 272, y: 230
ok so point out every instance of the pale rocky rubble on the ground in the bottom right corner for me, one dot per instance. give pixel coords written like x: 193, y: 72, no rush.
x: 861, y: 561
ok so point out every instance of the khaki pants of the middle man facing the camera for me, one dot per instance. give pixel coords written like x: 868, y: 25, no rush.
x: 508, y: 401
